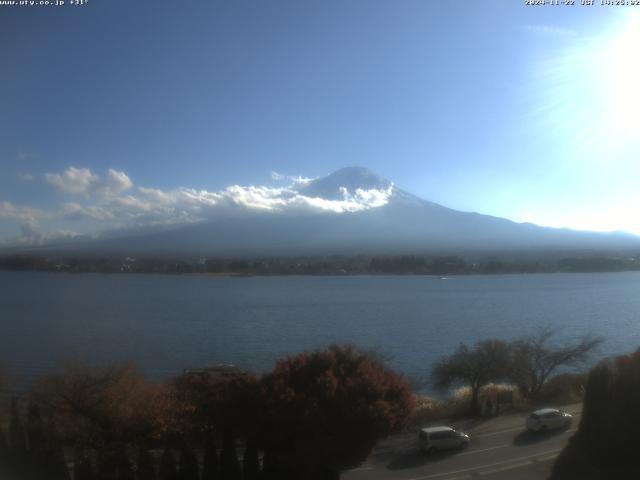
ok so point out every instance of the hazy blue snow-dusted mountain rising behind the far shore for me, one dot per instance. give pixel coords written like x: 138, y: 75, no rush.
x: 403, y: 223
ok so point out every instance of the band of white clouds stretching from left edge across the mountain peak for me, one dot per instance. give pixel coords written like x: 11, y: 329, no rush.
x: 113, y: 202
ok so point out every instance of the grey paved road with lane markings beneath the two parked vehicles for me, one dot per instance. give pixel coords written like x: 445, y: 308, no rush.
x: 499, y: 449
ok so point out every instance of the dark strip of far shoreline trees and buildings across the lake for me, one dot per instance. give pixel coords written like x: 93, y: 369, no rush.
x: 325, y: 265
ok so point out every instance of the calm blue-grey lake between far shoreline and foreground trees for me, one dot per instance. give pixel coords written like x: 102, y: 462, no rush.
x: 168, y: 323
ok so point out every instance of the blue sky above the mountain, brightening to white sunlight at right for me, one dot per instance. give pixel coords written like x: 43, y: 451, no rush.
x: 528, y: 113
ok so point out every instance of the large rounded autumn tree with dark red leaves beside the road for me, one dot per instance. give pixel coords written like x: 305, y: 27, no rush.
x: 325, y: 411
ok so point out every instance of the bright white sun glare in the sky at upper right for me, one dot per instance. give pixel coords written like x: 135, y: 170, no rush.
x: 588, y: 97
